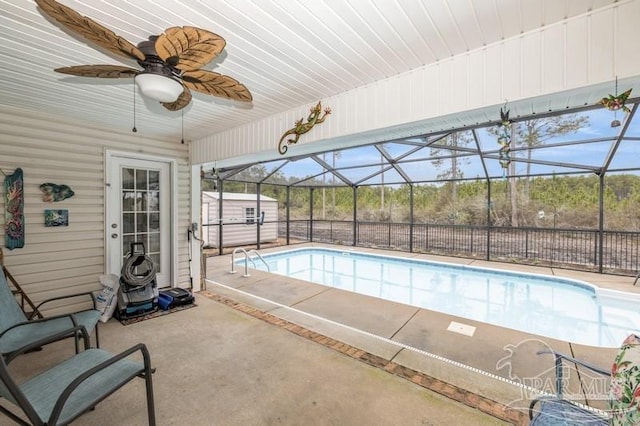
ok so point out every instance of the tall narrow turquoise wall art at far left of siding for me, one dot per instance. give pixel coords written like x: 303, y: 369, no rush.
x: 14, y: 210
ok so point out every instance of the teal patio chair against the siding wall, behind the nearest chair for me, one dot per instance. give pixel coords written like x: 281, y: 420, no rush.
x: 18, y: 330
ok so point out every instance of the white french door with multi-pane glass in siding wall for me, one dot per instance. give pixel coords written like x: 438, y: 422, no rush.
x: 139, y: 211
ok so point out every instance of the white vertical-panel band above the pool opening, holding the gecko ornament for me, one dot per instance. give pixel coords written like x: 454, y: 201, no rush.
x: 584, y: 51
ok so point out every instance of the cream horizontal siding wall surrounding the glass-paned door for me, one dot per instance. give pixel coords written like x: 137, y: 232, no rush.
x: 60, y: 260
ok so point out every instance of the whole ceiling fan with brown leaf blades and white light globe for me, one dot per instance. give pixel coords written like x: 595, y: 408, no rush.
x: 171, y: 62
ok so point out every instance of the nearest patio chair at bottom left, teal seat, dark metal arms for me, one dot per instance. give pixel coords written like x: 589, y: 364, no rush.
x: 64, y: 392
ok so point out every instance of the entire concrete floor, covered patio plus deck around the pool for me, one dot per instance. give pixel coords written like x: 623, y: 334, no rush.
x: 270, y: 350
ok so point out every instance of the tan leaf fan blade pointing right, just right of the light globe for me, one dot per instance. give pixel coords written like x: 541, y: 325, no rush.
x: 216, y: 84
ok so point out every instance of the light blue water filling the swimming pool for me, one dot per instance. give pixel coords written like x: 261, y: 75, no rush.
x: 563, y: 309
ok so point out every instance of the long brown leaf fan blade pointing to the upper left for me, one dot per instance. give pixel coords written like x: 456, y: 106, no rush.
x: 89, y: 29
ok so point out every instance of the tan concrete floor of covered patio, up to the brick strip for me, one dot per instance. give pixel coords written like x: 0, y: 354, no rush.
x: 219, y: 366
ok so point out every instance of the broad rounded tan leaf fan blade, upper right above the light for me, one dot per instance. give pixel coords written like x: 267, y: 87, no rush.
x: 193, y: 47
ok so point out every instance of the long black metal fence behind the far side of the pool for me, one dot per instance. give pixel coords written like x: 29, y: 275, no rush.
x: 608, y: 252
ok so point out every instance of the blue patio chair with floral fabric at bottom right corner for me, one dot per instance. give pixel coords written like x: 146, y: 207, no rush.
x: 623, y: 406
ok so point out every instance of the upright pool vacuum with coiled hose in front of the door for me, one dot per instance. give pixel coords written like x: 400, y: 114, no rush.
x: 138, y: 292
